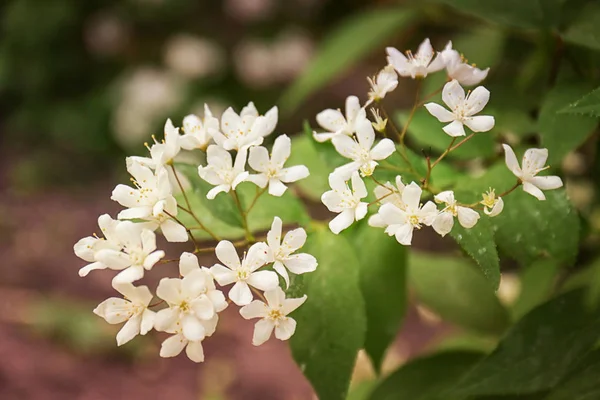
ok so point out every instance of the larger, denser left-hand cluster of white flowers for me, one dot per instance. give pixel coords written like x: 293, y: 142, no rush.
x: 188, y: 305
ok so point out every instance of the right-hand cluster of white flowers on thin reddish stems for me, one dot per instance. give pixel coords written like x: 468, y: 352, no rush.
x: 405, y: 207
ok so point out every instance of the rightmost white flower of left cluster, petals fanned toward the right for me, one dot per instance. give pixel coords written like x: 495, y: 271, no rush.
x: 280, y: 253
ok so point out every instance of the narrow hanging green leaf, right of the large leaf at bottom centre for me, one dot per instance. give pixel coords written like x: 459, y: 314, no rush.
x: 383, y: 285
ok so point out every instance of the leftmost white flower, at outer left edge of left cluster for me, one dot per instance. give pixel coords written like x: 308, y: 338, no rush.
x: 88, y: 247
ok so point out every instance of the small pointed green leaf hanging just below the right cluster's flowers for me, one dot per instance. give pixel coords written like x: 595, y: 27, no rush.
x: 479, y: 243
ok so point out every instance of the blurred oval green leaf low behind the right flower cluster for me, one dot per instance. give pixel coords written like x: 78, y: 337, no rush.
x: 455, y: 290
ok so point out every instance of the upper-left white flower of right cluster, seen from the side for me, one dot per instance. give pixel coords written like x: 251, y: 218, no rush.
x: 334, y: 122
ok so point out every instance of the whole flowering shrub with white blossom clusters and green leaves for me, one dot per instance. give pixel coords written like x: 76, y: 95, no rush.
x: 334, y: 289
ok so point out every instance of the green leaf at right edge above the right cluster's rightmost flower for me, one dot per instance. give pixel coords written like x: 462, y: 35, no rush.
x: 562, y: 133
